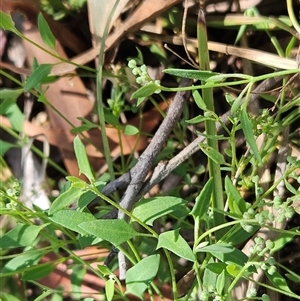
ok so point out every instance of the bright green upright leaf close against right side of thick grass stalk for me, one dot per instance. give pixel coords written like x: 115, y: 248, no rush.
x: 236, y: 203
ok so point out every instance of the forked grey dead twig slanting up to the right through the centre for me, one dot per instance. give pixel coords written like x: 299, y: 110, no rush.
x: 136, y: 180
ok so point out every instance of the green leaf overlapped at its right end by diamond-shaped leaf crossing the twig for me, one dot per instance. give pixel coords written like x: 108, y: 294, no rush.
x: 70, y: 219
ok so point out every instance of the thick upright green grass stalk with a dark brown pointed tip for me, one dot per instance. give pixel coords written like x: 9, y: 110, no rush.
x: 210, y: 125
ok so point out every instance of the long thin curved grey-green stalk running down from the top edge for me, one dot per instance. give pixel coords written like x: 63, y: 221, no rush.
x: 100, y: 105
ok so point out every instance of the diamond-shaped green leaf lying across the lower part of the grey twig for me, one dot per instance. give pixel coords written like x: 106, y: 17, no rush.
x: 114, y: 231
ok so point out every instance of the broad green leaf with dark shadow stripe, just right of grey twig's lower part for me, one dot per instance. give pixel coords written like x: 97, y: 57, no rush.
x: 148, y: 210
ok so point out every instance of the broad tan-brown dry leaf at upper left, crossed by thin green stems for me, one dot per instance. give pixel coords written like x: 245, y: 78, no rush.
x: 68, y: 96
